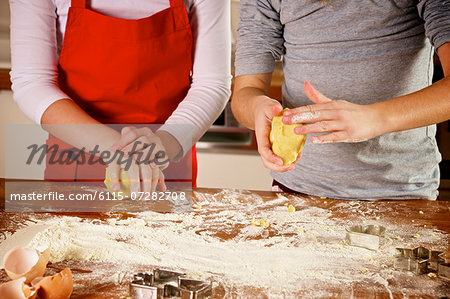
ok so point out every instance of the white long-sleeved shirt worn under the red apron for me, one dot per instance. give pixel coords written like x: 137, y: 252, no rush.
x: 37, y: 32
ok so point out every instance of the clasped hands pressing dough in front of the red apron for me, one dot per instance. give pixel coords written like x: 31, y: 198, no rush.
x: 144, y: 177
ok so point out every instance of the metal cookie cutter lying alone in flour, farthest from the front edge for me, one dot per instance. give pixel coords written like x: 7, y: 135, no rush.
x: 366, y: 236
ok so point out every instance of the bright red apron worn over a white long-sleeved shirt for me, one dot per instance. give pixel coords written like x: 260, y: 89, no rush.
x: 124, y: 72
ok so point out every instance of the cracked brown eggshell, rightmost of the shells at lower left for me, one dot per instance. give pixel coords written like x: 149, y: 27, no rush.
x: 58, y: 286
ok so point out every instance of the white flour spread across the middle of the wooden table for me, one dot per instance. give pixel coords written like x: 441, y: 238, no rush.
x: 219, y: 241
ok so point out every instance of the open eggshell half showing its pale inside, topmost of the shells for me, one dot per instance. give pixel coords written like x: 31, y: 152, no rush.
x: 25, y: 262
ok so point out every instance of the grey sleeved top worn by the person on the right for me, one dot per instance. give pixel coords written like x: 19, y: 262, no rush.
x: 363, y: 51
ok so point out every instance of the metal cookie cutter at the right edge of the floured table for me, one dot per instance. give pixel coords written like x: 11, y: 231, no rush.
x: 418, y: 260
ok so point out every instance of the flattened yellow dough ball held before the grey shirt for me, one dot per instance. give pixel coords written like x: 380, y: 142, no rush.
x: 285, y: 143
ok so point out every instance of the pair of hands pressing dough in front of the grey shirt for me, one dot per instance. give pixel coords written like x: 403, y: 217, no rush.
x: 342, y: 120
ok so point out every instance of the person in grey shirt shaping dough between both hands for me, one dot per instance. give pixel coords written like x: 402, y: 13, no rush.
x: 371, y: 128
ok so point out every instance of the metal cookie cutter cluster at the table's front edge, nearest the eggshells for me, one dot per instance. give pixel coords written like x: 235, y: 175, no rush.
x: 167, y: 284
